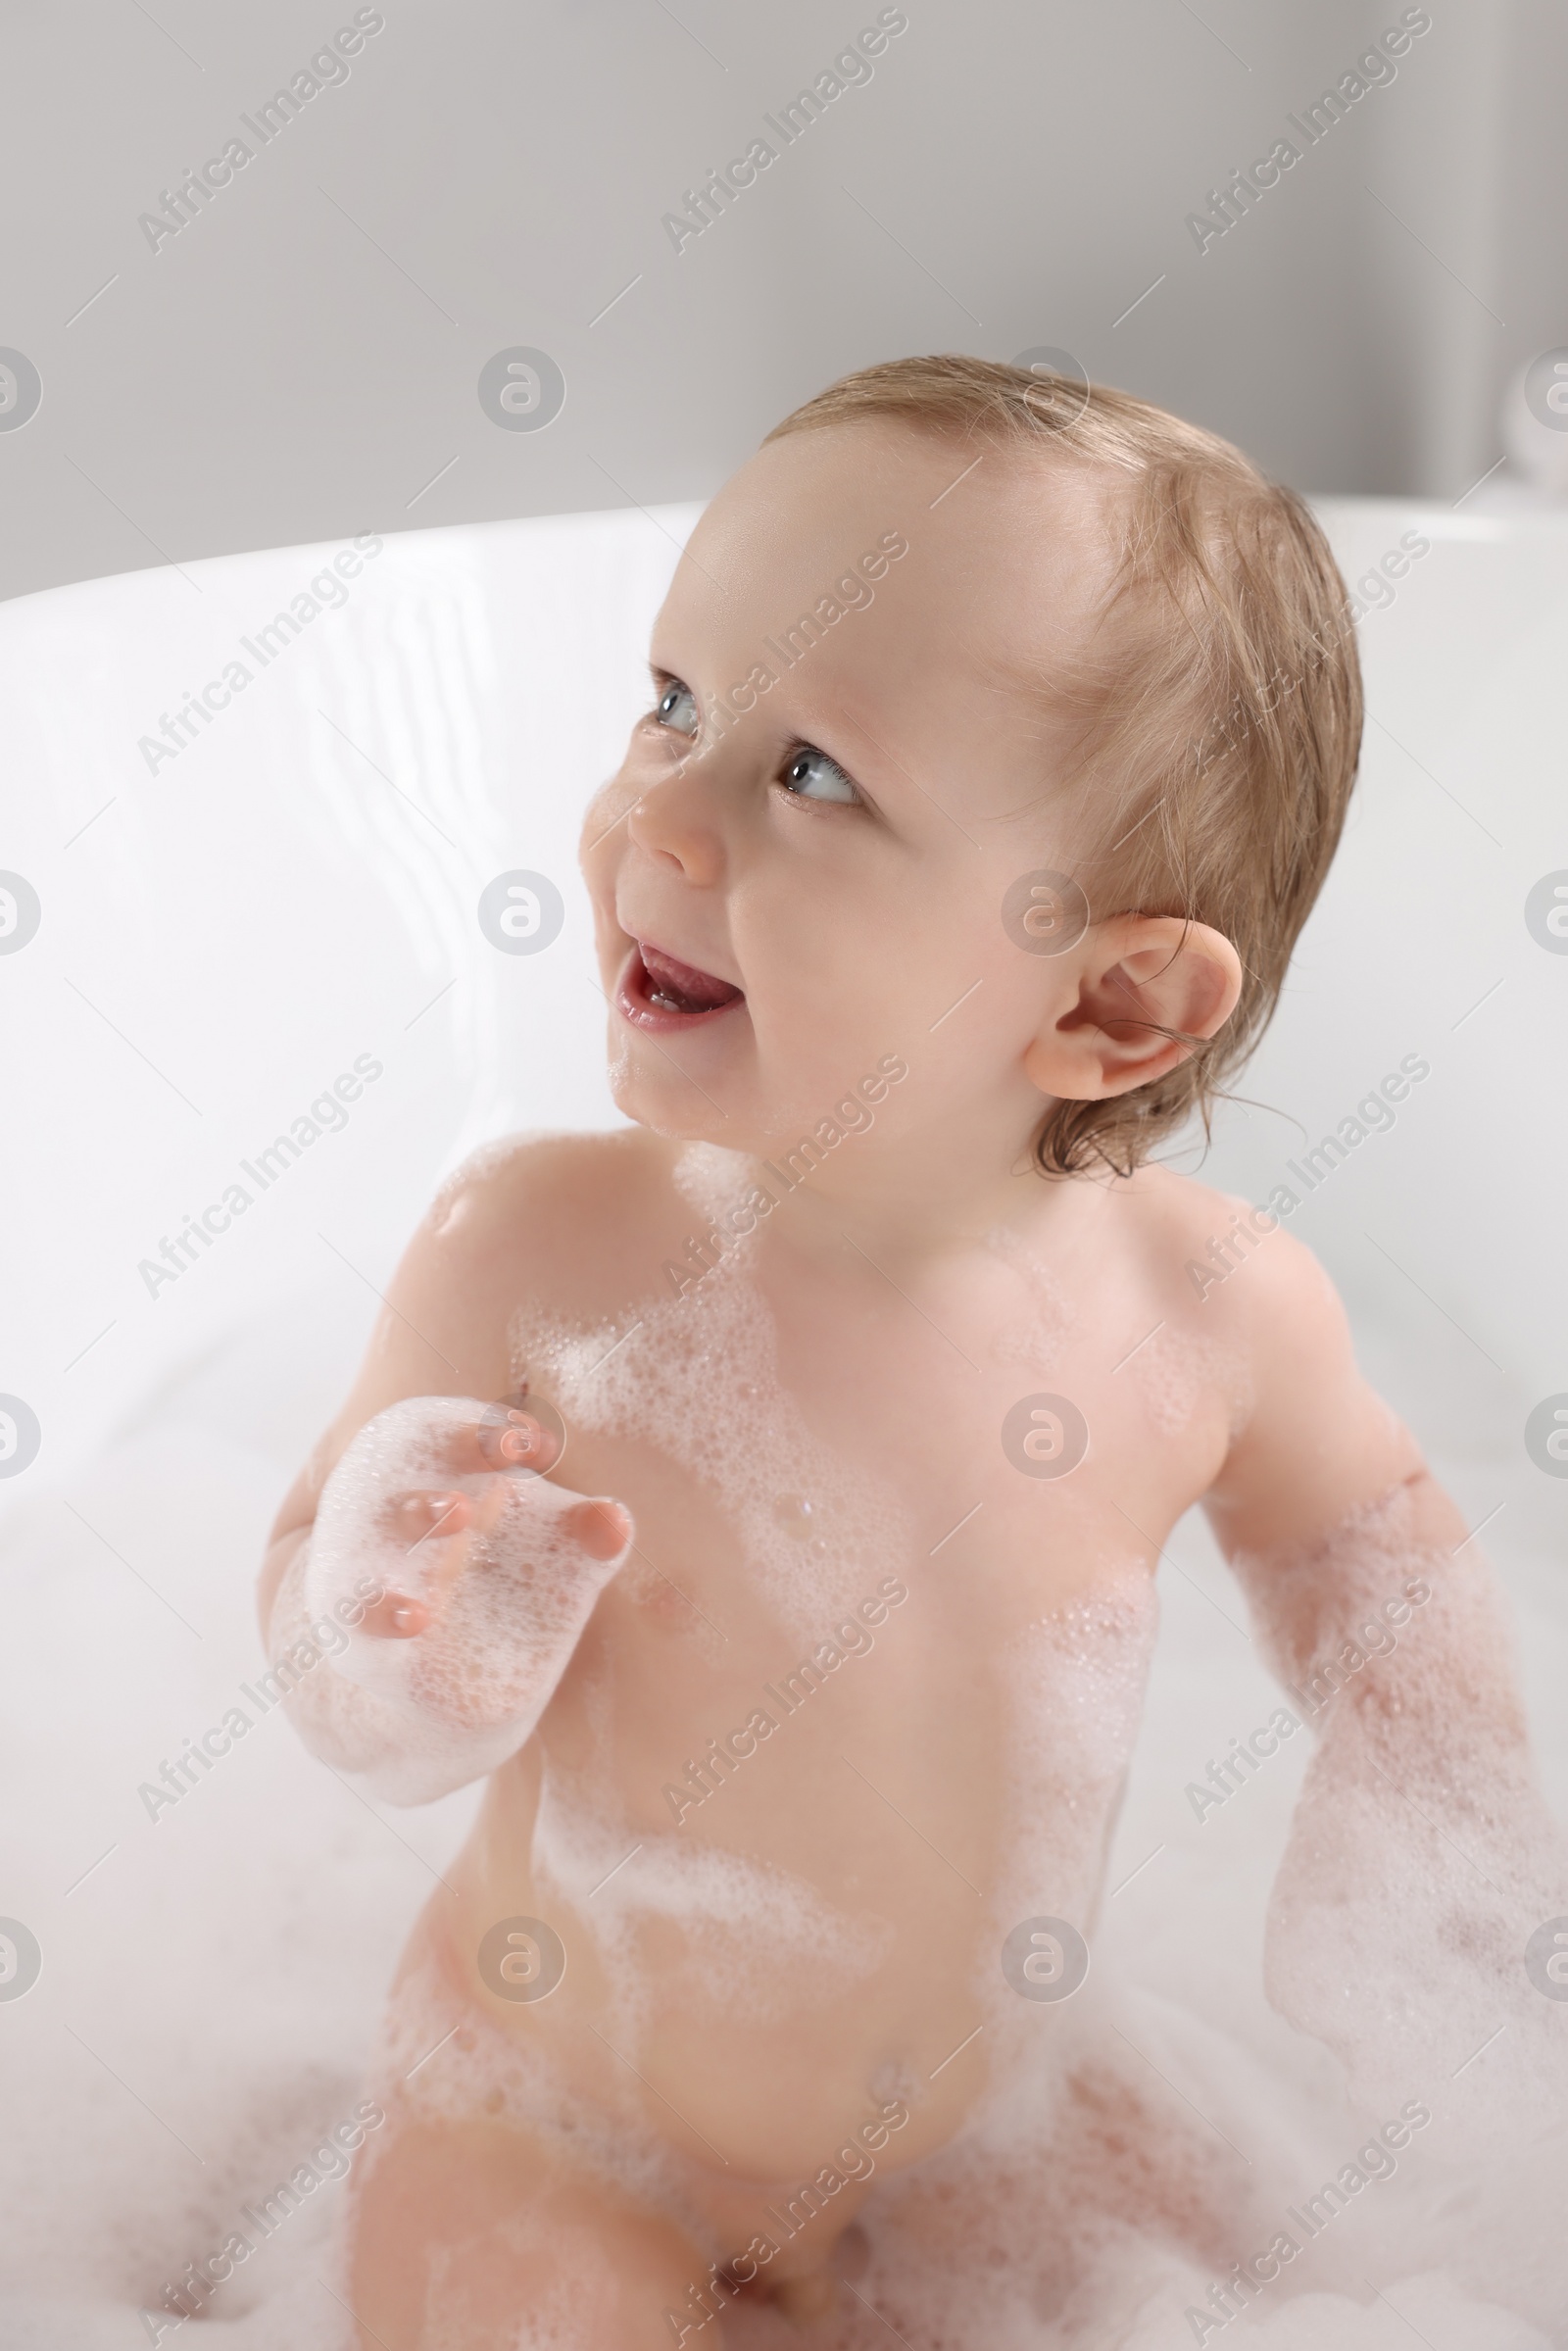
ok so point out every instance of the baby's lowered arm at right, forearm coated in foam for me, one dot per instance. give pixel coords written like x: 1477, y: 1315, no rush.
x: 1421, y: 1856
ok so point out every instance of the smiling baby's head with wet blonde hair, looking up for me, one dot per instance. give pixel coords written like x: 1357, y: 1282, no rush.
x: 1003, y: 730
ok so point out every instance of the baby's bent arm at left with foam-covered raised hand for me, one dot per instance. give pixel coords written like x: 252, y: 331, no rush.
x: 427, y: 1583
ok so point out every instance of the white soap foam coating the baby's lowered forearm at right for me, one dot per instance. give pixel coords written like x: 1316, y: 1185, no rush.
x: 1398, y: 1922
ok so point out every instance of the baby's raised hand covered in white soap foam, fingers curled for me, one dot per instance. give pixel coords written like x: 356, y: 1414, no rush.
x: 483, y: 1572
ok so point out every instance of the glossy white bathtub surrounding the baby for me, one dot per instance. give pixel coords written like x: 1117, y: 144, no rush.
x: 227, y: 930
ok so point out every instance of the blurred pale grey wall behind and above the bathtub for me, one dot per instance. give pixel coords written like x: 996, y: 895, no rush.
x: 290, y: 347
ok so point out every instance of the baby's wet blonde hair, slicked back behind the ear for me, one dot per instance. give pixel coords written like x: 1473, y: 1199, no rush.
x: 1219, y: 721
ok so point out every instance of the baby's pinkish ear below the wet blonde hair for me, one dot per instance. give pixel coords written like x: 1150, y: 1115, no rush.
x: 1132, y: 982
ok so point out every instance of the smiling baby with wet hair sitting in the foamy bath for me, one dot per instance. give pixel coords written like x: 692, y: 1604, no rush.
x: 998, y: 744
